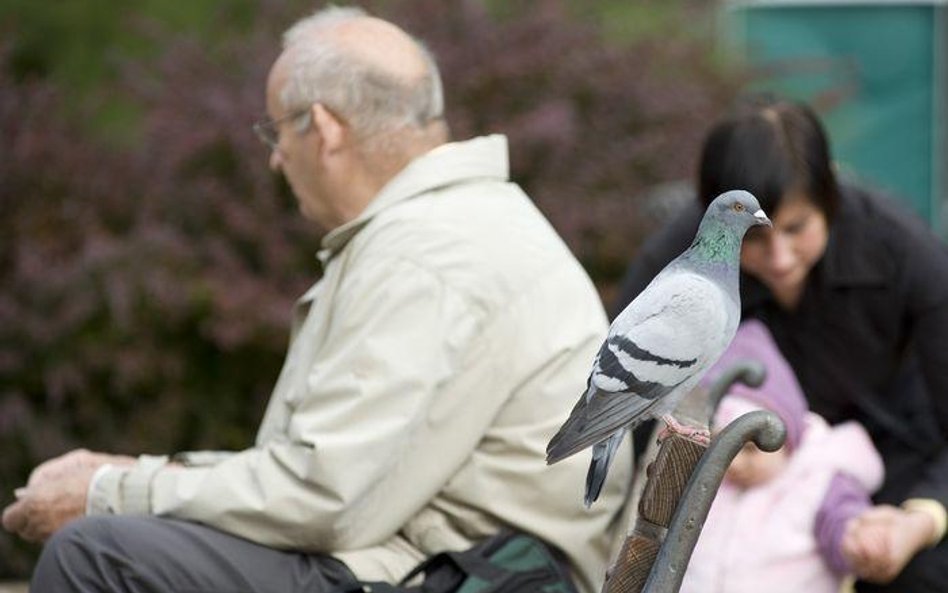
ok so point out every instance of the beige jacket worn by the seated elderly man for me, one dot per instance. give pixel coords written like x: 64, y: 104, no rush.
x: 447, y: 341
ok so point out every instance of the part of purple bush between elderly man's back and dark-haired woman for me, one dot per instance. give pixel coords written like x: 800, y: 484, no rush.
x: 592, y: 126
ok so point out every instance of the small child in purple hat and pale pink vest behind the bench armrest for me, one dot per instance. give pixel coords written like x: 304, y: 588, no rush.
x: 778, y: 519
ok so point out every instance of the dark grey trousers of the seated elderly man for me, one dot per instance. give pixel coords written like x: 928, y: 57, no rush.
x: 146, y: 554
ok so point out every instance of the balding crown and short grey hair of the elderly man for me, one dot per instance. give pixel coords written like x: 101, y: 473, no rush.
x: 368, y: 71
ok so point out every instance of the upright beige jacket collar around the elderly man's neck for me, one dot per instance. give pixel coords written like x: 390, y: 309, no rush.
x: 445, y: 165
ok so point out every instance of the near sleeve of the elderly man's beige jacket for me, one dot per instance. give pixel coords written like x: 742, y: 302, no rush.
x: 361, y: 453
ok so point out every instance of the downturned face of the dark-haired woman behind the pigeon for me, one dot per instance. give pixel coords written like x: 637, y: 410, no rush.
x: 782, y: 257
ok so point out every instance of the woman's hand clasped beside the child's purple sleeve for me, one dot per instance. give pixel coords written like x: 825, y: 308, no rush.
x: 881, y: 541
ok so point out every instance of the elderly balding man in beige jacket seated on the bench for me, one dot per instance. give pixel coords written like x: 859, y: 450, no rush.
x: 429, y: 366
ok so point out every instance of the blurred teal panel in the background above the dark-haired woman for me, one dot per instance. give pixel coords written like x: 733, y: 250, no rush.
x: 870, y: 71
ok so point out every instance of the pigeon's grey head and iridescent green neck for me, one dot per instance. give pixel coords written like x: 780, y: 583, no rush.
x: 725, y: 222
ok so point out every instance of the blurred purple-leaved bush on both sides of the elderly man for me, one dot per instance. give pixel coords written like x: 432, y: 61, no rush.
x: 146, y: 288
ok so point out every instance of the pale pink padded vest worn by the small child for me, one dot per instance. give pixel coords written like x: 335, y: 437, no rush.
x: 763, y: 539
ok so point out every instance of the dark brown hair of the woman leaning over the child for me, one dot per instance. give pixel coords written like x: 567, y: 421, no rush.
x: 769, y: 147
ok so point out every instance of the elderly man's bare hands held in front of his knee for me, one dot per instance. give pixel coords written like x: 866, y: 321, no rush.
x: 55, y: 494
